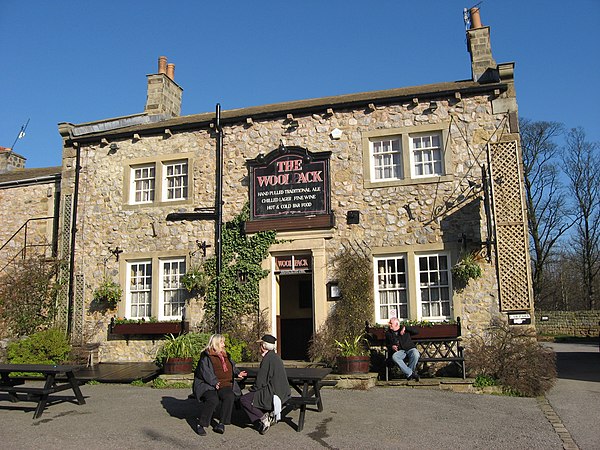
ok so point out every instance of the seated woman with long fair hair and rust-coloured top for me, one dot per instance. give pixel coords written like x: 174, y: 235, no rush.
x: 214, y: 384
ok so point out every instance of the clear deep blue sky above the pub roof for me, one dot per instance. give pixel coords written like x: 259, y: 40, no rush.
x: 80, y: 61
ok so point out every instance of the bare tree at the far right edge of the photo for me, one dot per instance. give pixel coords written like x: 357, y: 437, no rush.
x: 582, y: 166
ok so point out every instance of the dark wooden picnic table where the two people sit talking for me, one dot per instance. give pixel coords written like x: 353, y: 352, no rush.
x: 307, y: 382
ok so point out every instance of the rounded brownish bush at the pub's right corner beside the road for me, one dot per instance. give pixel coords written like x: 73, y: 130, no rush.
x: 513, y: 357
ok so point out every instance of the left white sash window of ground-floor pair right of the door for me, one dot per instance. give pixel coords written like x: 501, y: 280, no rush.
x: 391, y: 283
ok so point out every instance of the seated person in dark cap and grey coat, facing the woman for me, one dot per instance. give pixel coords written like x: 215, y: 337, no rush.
x: 271, y: 380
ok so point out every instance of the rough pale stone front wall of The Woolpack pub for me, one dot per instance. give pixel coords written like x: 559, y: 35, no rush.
x: 105, y: 220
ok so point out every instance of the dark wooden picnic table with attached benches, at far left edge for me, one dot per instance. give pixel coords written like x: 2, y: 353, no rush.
x: 16, y: 385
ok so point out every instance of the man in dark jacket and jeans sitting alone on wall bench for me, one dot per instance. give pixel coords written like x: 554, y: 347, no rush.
x: 400, y: 345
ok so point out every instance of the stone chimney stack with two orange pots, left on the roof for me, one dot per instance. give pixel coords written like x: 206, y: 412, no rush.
x: 164, y: 95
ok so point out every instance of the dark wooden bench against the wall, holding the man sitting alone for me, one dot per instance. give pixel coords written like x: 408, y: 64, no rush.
x: 432, y: 349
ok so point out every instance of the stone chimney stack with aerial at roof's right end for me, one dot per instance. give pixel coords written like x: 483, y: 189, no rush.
x: 483, y: 65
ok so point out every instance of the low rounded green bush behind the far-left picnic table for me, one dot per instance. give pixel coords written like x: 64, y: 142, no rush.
x: 45, y: 347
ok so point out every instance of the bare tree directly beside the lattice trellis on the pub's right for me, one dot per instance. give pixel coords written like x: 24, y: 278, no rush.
x: 548, y: 216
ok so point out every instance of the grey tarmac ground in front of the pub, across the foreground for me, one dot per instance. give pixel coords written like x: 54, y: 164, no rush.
x: 129, y: 417
